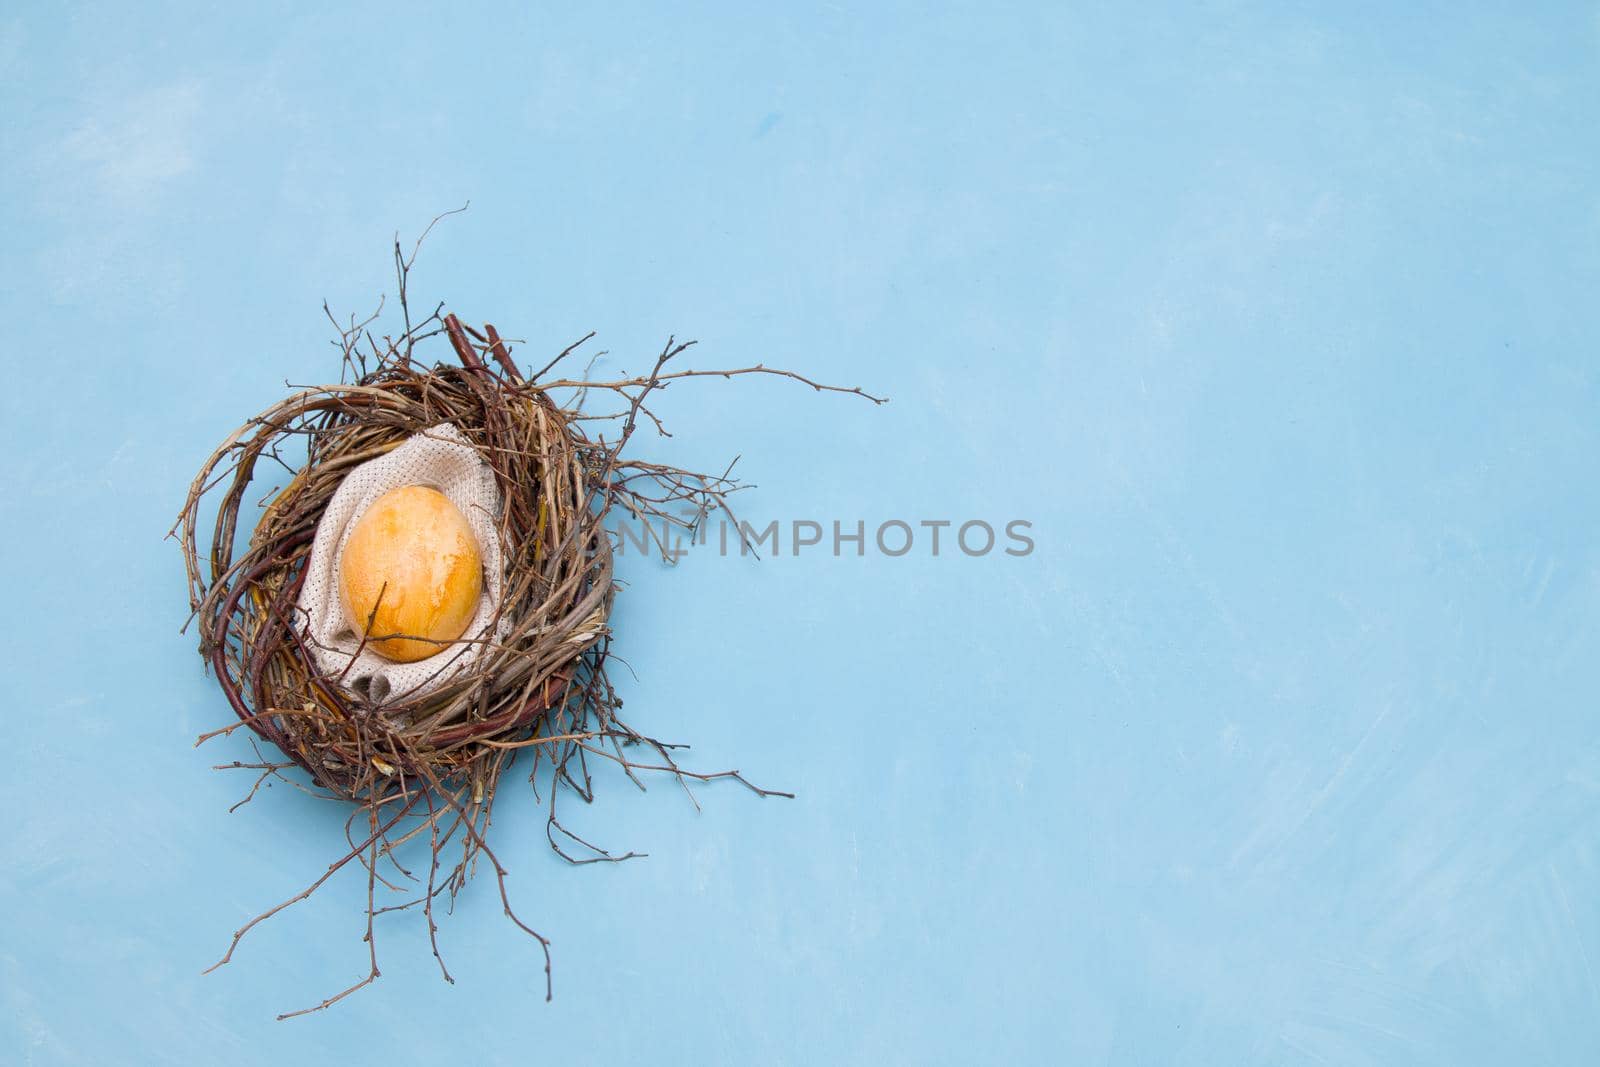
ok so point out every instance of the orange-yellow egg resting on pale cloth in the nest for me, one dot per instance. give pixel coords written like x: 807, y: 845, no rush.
x: 412, y: 557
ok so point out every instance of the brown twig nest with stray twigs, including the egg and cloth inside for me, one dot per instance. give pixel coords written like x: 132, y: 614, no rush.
x: 422, y: 762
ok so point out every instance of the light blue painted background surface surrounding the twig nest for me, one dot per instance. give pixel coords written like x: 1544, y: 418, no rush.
x: 1279, y: 326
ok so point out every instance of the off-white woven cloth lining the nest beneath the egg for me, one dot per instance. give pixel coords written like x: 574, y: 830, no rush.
x: 439, y: 458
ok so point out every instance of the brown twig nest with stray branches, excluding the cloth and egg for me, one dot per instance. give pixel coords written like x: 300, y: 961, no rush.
x: 428, y: 769
